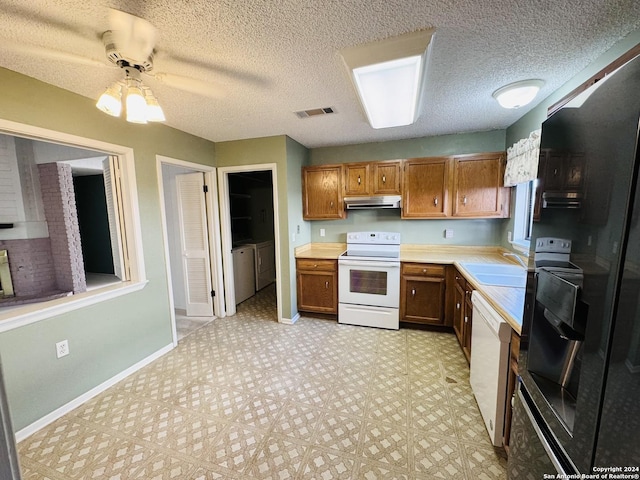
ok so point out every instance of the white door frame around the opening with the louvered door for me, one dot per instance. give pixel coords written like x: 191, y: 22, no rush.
x: 213, y: 224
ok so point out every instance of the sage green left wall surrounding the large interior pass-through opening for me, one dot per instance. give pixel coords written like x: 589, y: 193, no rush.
x: 106, y: 338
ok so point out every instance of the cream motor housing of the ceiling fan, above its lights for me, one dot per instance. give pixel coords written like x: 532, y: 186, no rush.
x: 134, y: 37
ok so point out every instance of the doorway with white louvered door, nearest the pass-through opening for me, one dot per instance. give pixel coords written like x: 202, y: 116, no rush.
x: 192, y: 243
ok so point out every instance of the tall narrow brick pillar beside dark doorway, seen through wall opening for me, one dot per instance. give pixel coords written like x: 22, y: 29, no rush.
x: 60, y: 211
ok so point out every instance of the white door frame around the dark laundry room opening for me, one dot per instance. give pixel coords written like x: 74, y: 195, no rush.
x: 227, y: 243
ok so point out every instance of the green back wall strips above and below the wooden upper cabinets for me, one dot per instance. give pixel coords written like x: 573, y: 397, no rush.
x: 426, y: 232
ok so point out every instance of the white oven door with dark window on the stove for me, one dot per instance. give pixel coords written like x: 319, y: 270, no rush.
x: 369, y: 282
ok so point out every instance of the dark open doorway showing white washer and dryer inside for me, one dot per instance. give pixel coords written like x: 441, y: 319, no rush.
x: 250, y: 227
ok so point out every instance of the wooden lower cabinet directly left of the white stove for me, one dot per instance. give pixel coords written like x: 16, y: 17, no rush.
x: 317, y: 285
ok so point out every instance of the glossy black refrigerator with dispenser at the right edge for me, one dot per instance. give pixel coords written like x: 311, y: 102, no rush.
x: 577, y: 408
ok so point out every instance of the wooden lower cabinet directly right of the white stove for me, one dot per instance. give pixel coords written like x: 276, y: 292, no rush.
x: 422, y: 293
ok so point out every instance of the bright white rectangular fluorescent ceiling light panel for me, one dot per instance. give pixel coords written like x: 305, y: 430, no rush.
x: 389, y: 91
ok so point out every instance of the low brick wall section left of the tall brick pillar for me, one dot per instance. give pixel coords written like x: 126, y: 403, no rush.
x: 31, y: 266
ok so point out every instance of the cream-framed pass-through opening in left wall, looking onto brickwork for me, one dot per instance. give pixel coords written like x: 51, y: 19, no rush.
x: 60, y: 257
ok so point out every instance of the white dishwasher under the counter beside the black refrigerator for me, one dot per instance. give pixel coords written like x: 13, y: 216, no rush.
x: 489, y: 364
